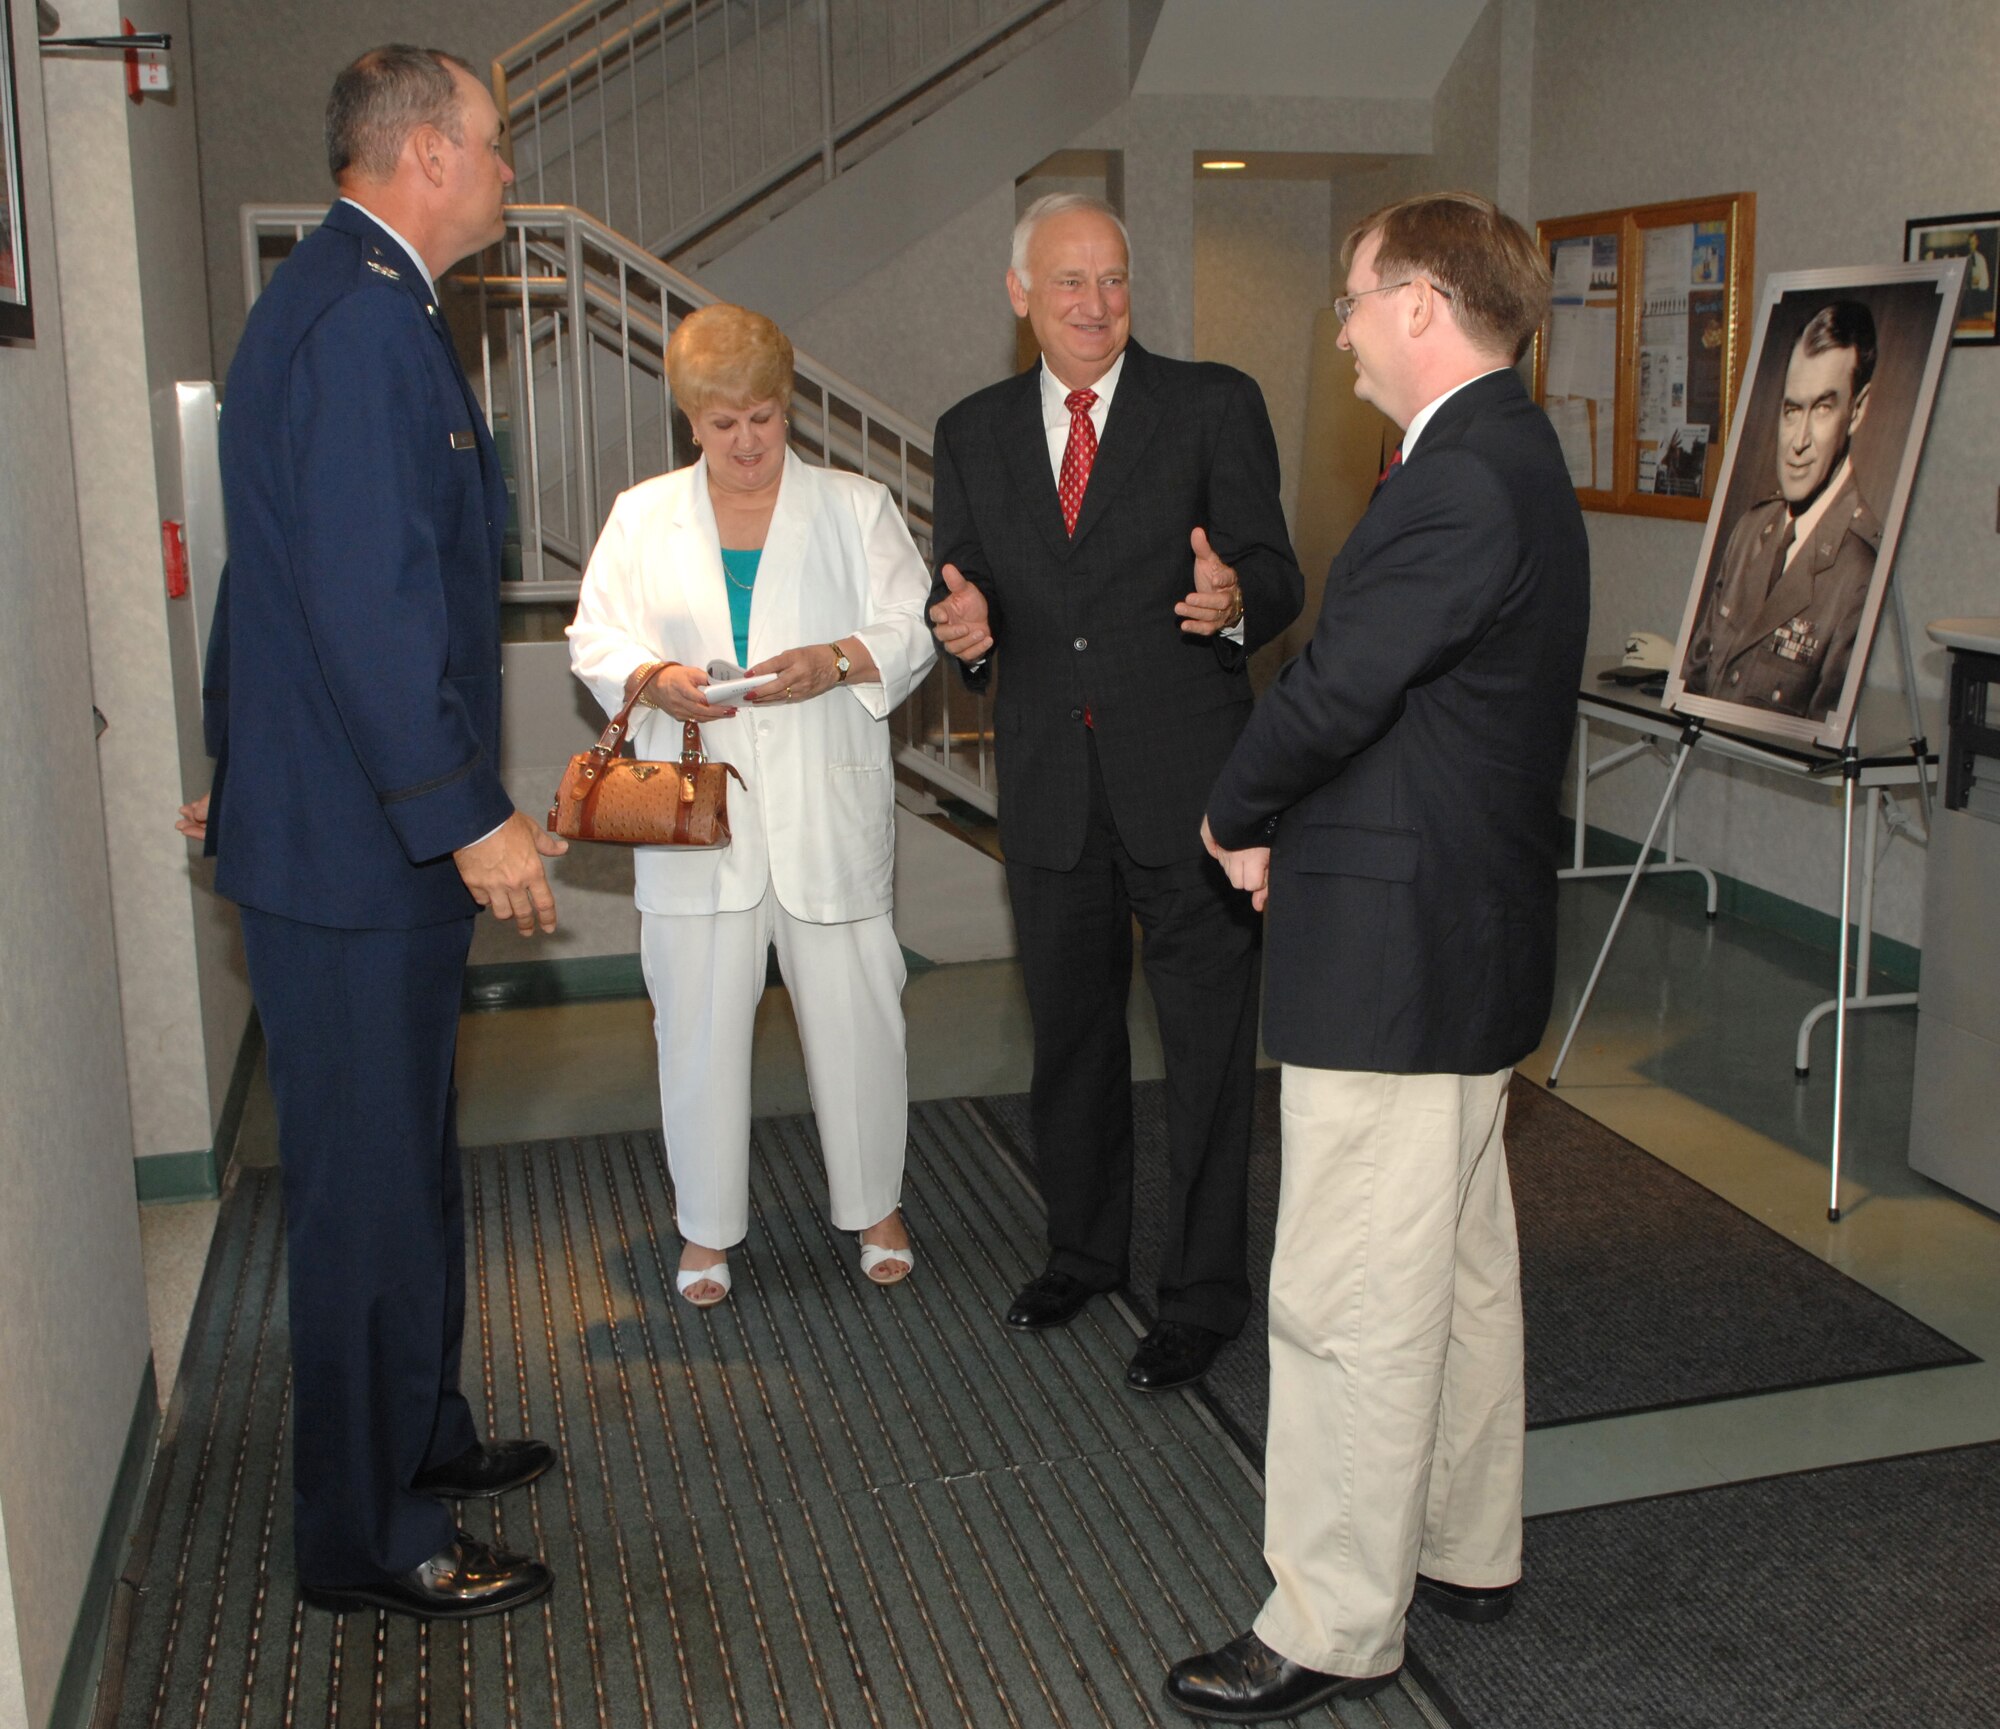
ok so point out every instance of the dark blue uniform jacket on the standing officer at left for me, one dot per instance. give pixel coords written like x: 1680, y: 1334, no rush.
x: 353, y: 693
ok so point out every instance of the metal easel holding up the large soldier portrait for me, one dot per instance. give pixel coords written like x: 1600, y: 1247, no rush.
x: 1851, y: 771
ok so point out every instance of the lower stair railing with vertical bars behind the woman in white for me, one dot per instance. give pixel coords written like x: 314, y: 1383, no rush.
x: 567, y: 325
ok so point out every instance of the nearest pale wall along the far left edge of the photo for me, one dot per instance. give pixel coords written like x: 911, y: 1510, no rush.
x: 73, y: 1306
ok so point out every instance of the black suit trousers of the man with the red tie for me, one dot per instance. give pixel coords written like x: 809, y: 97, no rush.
x: 1075, y: 932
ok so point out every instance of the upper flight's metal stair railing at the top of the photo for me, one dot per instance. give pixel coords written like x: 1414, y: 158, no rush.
x: 667, y: 119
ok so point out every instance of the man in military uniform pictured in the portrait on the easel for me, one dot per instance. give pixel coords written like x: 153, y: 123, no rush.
x: 1783, y: 613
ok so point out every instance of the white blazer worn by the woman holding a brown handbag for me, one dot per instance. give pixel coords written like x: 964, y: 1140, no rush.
x: 817, y: 819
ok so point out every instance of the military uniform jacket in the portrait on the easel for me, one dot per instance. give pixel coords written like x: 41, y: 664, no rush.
x: 1787, y: 649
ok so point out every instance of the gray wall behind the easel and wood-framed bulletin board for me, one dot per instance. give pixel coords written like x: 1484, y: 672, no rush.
x: 1845, y: 117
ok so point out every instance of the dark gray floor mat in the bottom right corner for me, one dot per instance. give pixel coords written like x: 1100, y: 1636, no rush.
x: 1859, y: 1598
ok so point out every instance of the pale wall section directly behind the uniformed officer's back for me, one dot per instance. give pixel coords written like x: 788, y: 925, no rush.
x: 125, y: 181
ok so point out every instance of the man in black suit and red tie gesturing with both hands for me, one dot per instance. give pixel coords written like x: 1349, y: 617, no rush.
x: 1071, y: 505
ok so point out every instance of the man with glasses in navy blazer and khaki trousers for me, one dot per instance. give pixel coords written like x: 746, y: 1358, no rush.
x: 1395, y: 803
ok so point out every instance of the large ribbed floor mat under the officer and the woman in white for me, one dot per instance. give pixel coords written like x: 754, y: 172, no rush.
x: 817, y: 1504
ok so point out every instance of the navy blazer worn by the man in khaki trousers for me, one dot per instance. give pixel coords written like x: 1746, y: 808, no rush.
x: 1413, y: 759
